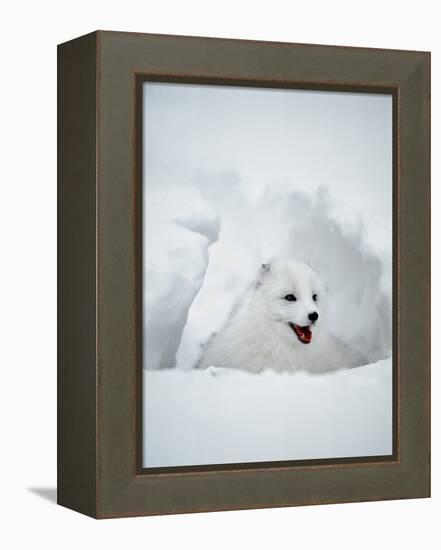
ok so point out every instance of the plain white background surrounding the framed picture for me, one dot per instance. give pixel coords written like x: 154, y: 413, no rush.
x: 29, y: 33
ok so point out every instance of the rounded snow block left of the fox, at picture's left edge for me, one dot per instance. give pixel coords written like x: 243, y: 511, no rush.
x: 179, y: 225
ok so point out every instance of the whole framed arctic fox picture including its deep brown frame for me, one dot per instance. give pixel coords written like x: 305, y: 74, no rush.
x: 244, y: 268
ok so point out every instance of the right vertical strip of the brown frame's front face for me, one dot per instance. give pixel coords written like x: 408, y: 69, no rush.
x: 414, y: 275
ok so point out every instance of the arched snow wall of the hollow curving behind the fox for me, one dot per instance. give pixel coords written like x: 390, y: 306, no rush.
x: 288, y: 224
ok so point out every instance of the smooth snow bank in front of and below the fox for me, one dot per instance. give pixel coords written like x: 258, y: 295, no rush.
x: 225, y: 416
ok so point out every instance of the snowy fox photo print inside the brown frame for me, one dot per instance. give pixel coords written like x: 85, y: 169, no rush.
x: 267, y: 274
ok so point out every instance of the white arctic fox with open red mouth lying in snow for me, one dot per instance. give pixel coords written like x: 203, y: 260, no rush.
x: 280, y: 324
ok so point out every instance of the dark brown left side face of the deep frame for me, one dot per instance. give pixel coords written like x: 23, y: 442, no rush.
x: 77, y: 275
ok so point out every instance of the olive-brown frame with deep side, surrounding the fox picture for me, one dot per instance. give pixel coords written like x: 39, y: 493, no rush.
x: 100, y: 342
